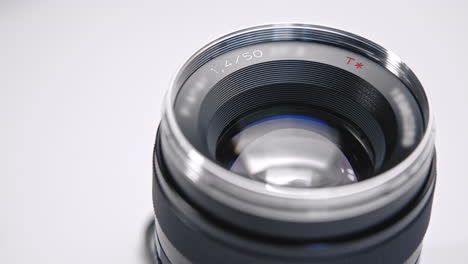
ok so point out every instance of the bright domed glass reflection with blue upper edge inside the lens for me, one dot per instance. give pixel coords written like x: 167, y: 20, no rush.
x: 290, y: 150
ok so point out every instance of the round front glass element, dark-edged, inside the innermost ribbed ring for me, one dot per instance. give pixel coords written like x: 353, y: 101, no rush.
x: 296, y: 146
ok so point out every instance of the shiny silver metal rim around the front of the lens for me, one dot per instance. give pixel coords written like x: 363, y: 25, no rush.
x: 286, y: 203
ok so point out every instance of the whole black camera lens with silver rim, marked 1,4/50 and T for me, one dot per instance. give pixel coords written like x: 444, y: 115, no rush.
x: 293, y: 144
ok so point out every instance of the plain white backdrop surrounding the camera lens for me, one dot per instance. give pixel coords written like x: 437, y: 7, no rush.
x: 81, y: 84
